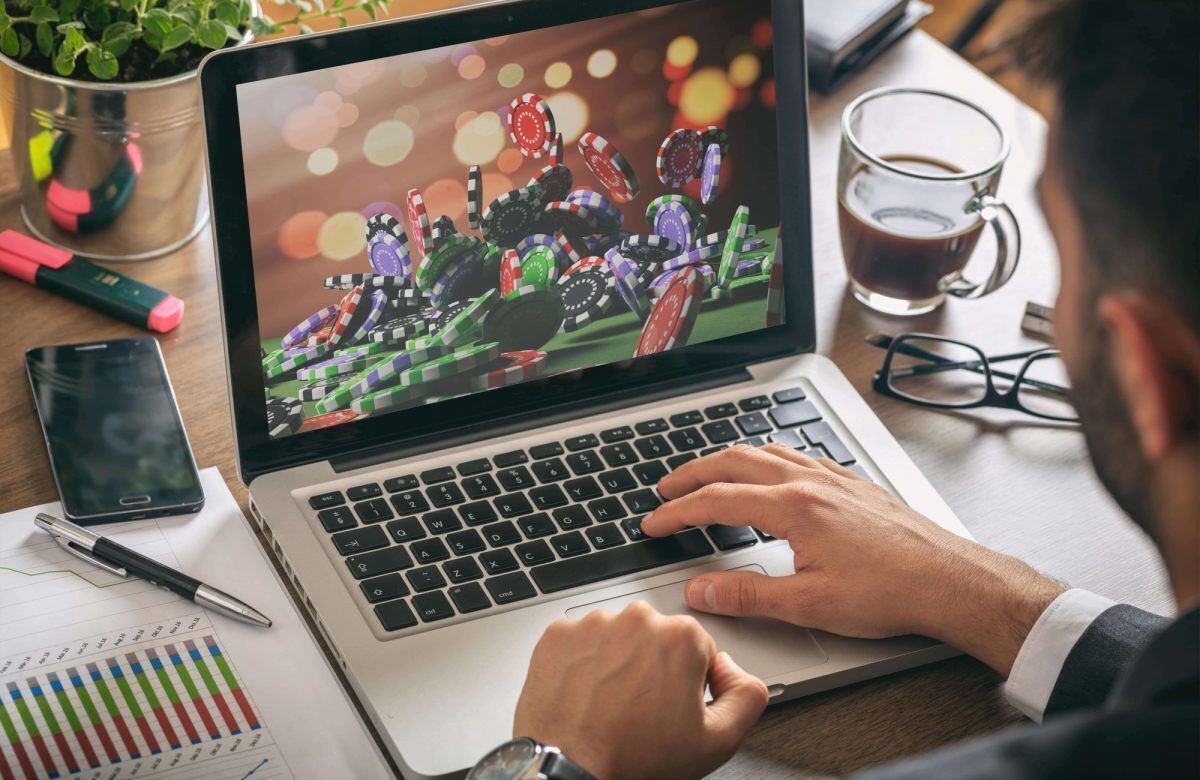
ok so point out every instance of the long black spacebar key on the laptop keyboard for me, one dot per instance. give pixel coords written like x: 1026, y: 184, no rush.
x: 616, y: 562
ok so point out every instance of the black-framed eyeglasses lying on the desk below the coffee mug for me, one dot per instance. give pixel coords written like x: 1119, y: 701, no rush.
x: 992, y: 399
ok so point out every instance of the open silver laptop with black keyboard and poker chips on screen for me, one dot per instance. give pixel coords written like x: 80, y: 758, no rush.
x: 446, y: 466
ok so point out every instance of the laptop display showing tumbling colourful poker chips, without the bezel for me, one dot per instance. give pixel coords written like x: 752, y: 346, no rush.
x: 457, y: 220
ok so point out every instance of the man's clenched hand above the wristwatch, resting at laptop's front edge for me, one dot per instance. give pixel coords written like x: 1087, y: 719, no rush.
x: 623, y: 697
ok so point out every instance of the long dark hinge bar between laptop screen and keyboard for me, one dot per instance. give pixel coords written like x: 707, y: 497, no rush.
x: 538, y: 419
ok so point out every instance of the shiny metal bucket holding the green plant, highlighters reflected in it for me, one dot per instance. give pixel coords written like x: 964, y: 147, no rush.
x: 109, y: 171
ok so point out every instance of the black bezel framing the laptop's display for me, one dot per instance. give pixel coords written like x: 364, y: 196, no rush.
x: 224, y: 71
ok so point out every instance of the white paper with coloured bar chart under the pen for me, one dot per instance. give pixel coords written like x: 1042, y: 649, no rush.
x: 103, y: 677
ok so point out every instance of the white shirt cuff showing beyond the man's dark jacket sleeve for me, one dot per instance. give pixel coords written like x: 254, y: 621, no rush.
x: 1040, y: 662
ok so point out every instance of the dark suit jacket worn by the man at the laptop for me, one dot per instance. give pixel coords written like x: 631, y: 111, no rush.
x: 1126, y: 705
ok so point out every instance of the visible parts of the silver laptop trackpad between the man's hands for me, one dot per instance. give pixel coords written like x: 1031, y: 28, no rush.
x: 765, y: 649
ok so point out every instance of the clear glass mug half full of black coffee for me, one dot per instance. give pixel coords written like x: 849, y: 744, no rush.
x: 917, y: 181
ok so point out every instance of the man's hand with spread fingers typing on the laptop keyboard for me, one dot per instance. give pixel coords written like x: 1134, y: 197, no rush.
x: 866, y: 565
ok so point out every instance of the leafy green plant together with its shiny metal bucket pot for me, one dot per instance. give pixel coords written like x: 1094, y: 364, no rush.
x: 100, y: 107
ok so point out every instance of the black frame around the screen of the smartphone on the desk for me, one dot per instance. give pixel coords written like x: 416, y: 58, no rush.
x: 163, y: 501
